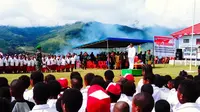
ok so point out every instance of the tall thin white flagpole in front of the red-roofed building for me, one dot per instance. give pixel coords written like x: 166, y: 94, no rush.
x: 193, y: 21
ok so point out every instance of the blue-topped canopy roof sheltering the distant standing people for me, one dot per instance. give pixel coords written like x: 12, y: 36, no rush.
x: 114, y: 42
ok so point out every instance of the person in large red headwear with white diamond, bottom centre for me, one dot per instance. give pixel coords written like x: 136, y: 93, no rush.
x: 98, y: 100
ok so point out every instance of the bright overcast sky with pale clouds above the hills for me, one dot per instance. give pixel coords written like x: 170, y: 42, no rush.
x: 169, y: 13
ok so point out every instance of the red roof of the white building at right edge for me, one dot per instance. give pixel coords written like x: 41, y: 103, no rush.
x: 187, y: 31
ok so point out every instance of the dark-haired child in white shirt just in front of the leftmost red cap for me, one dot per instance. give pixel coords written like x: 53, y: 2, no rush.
x: 55, y: 89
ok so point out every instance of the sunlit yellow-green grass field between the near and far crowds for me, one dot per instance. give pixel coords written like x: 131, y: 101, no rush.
x: 159, y: 69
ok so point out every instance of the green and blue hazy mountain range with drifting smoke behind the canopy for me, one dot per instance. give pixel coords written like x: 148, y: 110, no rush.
x: 59, y: 38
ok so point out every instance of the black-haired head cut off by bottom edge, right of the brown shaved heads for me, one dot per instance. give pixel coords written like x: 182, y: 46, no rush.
x: 162, y: 106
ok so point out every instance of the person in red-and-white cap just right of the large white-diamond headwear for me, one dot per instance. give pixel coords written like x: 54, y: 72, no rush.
x: 114, y: 91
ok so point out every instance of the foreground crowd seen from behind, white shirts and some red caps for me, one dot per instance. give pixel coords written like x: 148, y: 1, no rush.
x: 153, y: 93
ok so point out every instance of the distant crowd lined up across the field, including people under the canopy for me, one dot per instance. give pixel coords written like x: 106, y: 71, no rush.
x: 59, y: 63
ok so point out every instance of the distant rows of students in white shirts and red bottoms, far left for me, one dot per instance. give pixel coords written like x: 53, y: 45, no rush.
x: 26, y: 64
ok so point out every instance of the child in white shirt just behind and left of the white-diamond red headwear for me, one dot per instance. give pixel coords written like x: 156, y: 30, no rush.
x: 87, y: 79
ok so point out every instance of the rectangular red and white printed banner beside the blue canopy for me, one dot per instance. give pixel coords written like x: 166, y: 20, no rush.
x: 164, y: 46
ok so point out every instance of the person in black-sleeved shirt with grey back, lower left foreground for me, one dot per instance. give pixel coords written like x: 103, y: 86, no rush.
x: 19, y: 104
